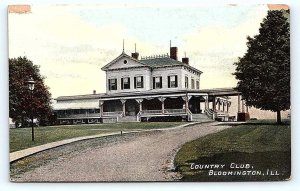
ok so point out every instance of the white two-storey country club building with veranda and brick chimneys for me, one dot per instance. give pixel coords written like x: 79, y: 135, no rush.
x: 154, y: 88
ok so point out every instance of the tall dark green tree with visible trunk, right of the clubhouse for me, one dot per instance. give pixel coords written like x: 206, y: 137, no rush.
x: 264, y: 71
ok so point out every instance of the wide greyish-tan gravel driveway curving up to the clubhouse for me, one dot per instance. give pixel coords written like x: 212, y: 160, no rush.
x: 145, y: 156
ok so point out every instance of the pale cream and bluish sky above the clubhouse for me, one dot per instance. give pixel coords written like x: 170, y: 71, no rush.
x: 72, y: 42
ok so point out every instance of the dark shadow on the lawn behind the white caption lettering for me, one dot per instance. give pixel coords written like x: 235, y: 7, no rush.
x: 259, y: 161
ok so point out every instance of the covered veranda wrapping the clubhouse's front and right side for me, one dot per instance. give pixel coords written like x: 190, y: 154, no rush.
x: 184, y: 104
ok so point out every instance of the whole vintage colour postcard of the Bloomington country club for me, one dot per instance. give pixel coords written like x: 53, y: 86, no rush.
x: 149, y: 93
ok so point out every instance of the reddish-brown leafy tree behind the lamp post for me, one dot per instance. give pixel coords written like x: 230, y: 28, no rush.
x: 21, y: 103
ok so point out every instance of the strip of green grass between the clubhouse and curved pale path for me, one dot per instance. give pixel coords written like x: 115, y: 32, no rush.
x: 20, y: 138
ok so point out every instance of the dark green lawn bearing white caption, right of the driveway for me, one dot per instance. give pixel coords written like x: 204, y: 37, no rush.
x: 263, y: 145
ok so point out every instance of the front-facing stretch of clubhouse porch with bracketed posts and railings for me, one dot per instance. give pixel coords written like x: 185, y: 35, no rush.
x: 182, y: 107
